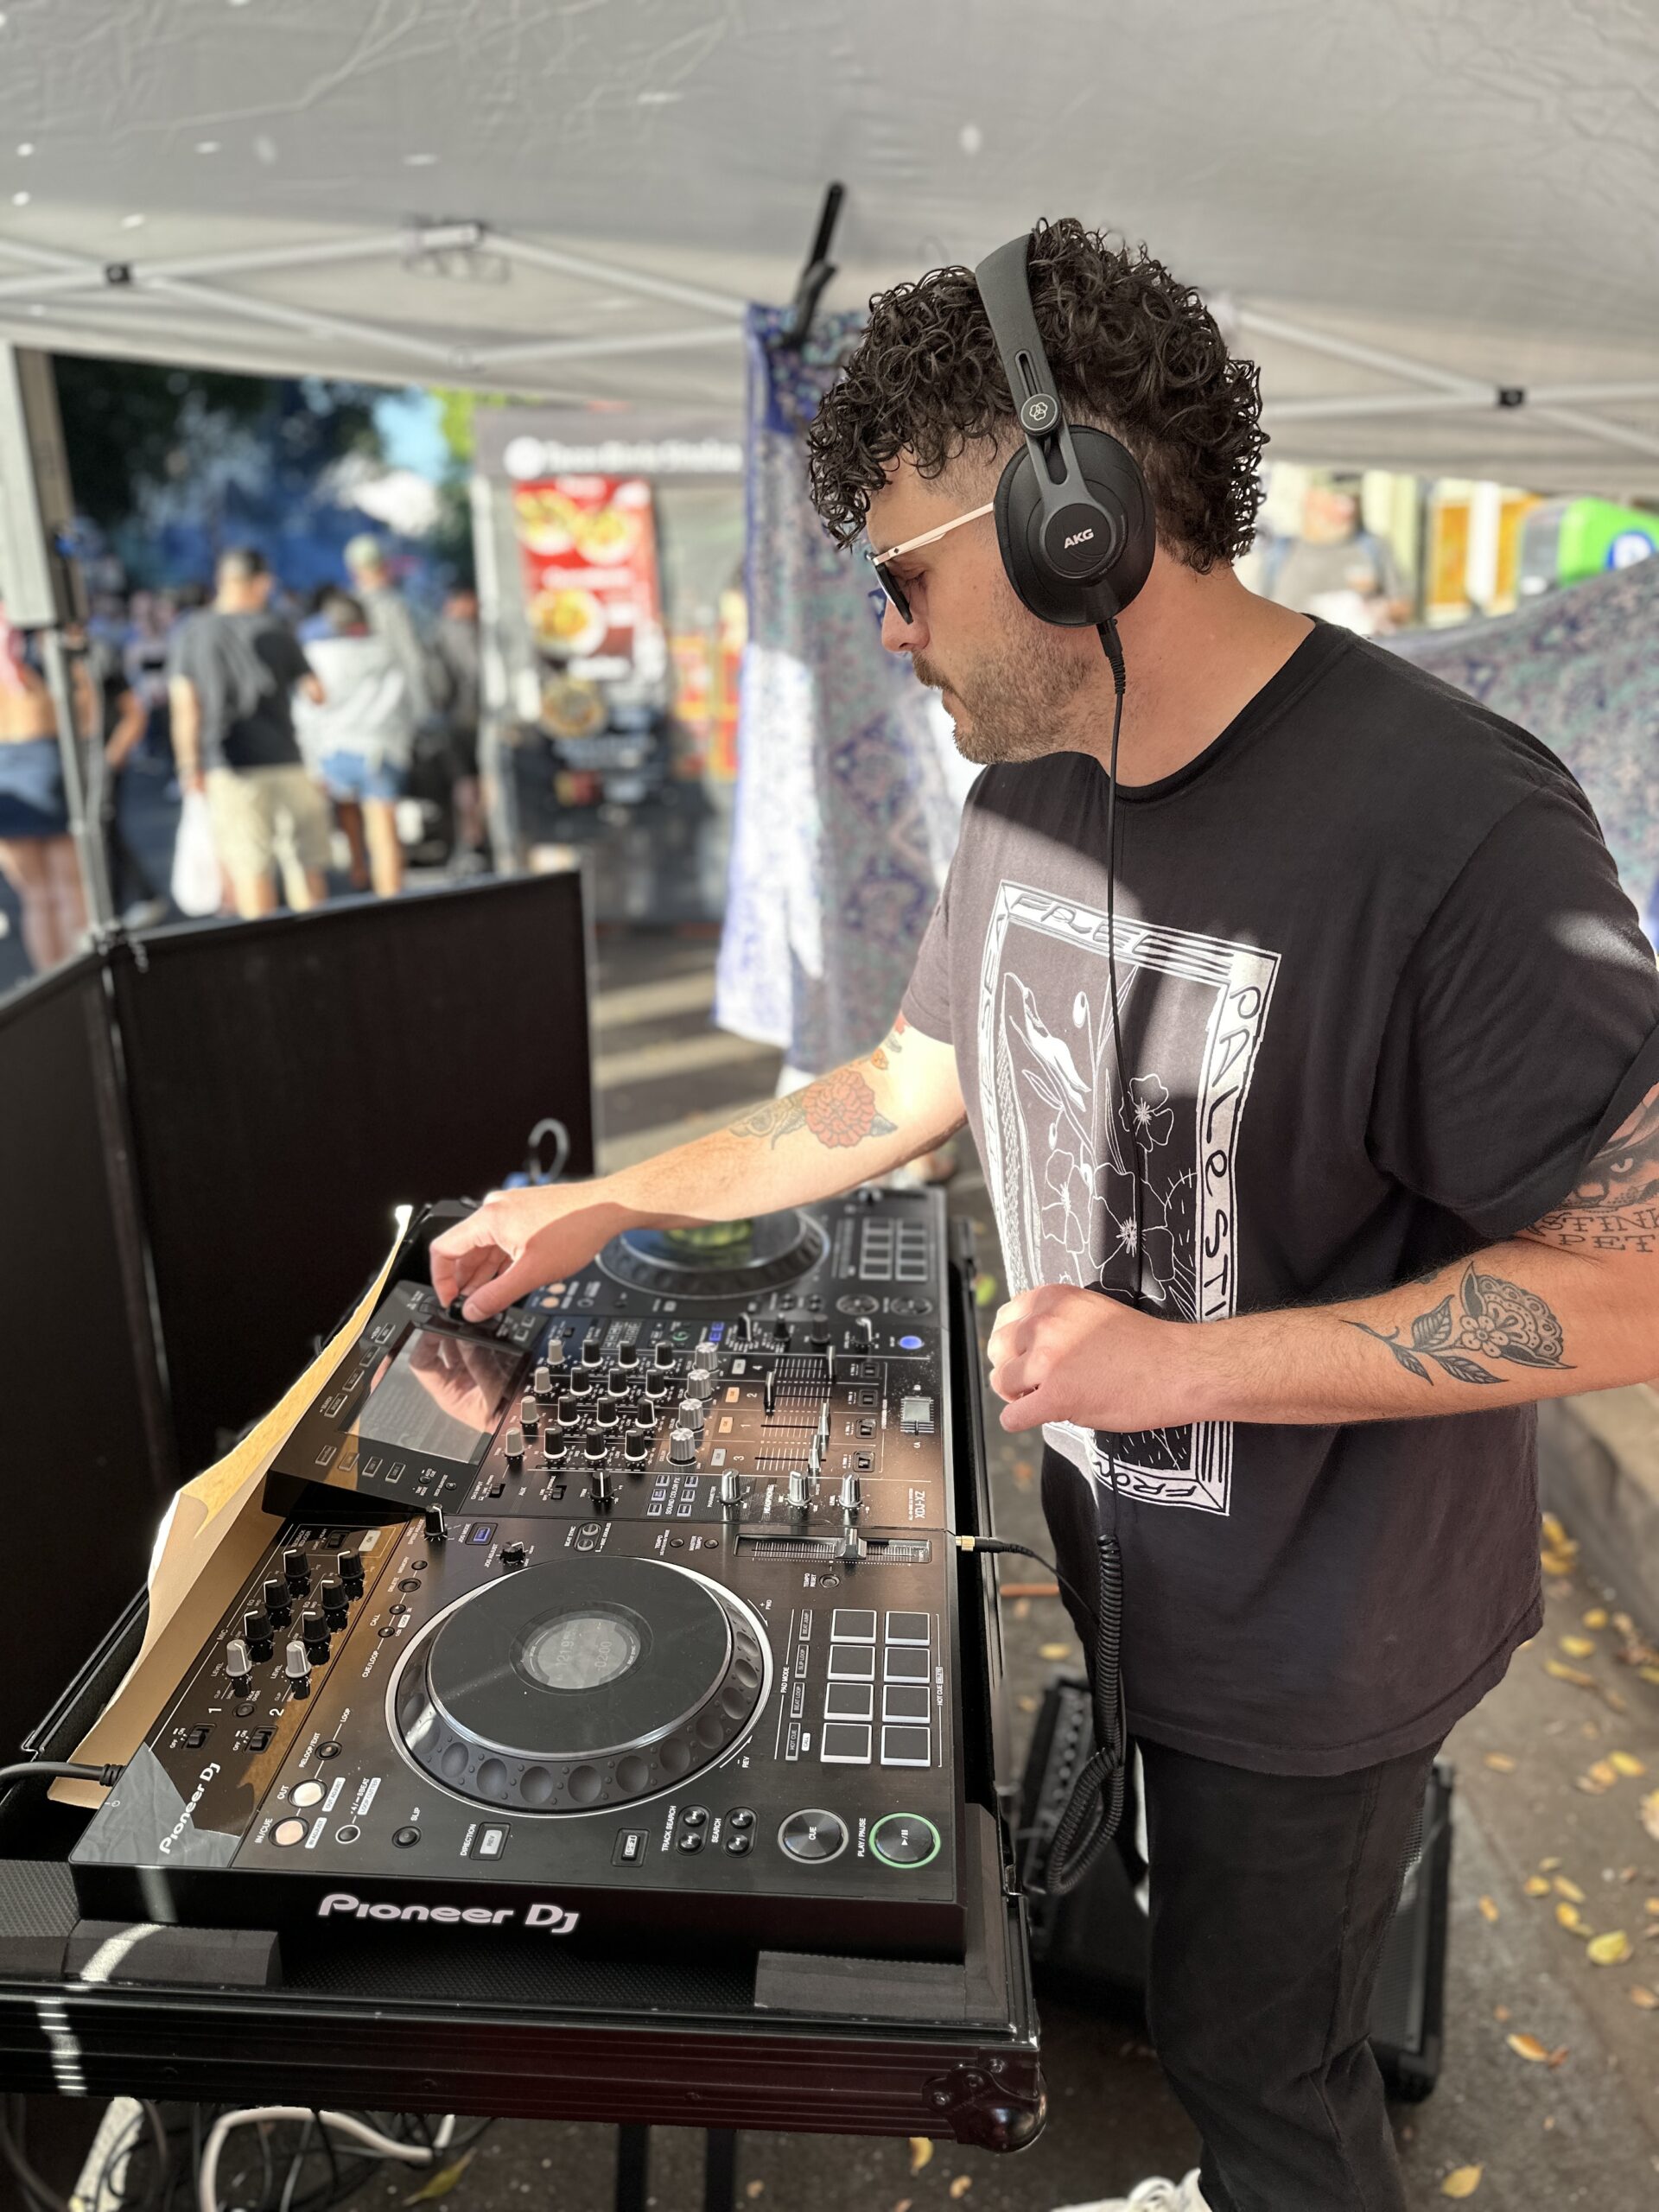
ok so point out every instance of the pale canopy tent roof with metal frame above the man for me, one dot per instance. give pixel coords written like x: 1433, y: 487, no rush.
x: 1404, y: 209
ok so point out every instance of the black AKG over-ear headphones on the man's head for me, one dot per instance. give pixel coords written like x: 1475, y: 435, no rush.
x: 1074, y: 512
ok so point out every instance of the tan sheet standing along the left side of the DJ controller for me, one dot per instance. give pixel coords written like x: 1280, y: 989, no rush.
x: 211, y: 1538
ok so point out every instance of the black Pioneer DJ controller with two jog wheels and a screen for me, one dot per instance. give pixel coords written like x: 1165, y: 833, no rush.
x: 625, y: 1616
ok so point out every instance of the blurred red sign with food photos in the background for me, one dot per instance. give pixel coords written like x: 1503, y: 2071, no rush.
x: 589, y: 552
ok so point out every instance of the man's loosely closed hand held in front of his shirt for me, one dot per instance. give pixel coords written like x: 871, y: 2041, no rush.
x: 1074, y: 1355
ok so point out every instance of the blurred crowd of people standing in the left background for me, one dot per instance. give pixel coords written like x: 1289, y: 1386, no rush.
x: 289, y: 731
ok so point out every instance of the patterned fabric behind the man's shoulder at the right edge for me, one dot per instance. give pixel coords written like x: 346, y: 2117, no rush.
x: 1578, y: 669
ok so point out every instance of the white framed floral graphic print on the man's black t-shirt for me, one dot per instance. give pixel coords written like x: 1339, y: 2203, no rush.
x: 1061, y: 1142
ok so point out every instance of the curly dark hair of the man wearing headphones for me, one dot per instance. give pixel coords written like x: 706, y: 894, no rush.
x: 1134, y: 353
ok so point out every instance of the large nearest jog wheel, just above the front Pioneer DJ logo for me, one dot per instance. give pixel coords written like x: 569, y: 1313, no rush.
x: 581, y: 1684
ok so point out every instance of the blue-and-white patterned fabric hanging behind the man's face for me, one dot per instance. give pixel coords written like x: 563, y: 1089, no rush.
x: 846, y: 808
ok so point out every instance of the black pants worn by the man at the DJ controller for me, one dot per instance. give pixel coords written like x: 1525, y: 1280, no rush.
x: 1271, y: 1903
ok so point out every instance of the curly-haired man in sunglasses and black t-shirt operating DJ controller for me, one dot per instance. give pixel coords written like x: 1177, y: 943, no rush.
x: 1384, y: 1173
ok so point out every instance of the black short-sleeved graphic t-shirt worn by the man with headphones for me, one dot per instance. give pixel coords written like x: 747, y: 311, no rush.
x: 1381, y: 1001
